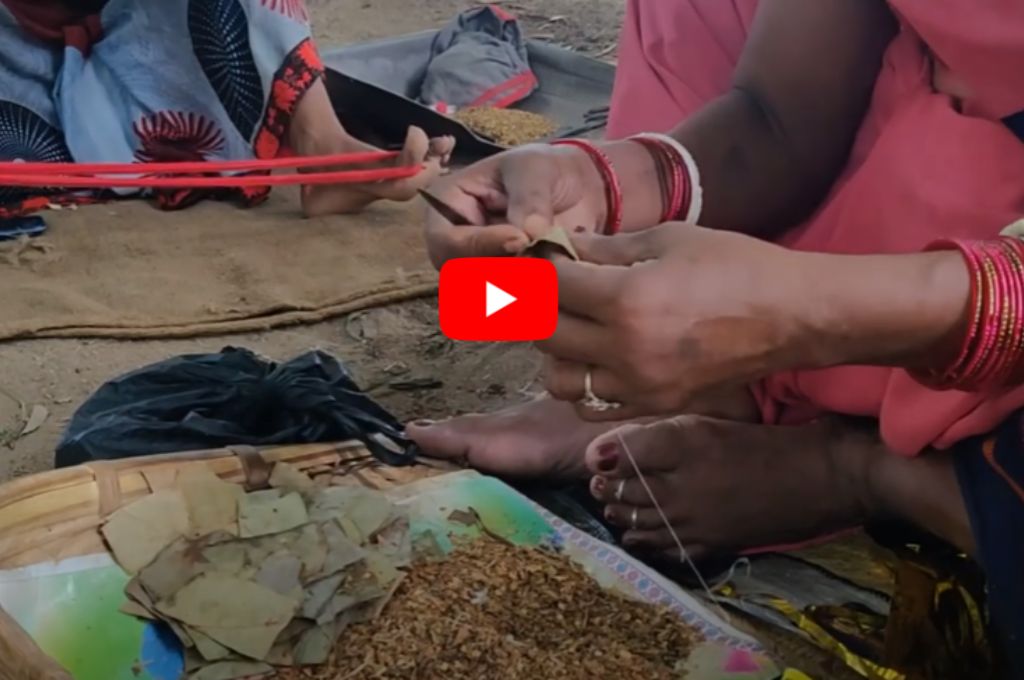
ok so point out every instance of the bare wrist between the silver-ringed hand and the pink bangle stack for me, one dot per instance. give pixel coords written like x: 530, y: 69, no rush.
x: 887, y: 310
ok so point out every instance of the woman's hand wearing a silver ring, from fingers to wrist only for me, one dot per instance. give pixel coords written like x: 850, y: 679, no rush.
x: 663, y: 317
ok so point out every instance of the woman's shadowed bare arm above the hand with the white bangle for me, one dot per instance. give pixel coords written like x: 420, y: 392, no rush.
x: 771, y: 148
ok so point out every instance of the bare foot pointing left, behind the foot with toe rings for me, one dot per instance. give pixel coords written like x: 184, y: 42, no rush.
x: 541, y: 439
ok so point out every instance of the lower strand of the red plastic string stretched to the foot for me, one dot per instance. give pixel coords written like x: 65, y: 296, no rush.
x: 337, y: 178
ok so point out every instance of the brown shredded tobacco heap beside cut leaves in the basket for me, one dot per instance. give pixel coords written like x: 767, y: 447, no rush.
x: 493, y: 611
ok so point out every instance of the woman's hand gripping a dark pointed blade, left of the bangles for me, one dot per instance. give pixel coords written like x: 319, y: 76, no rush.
x: 514, y: 198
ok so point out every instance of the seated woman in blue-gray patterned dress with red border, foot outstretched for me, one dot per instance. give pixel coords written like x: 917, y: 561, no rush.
x: 119, y: 81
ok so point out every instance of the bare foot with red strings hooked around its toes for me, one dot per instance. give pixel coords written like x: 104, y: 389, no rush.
x: 433, y: 155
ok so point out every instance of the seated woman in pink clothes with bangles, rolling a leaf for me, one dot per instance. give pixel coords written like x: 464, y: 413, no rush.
x: 855, y: 135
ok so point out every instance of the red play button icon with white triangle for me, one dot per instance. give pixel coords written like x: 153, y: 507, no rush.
x: 499, y: 300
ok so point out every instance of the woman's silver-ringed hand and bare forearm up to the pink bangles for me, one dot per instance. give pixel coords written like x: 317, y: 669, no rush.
x: 668, y: 316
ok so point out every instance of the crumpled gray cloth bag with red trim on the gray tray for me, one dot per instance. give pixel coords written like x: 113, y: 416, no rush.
x: 479, y: 60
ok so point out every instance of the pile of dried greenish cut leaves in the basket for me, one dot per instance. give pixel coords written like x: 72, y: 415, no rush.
x: 253, y: 581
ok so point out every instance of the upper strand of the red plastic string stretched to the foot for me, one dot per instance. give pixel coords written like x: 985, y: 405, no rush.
x: 293, y: 162
